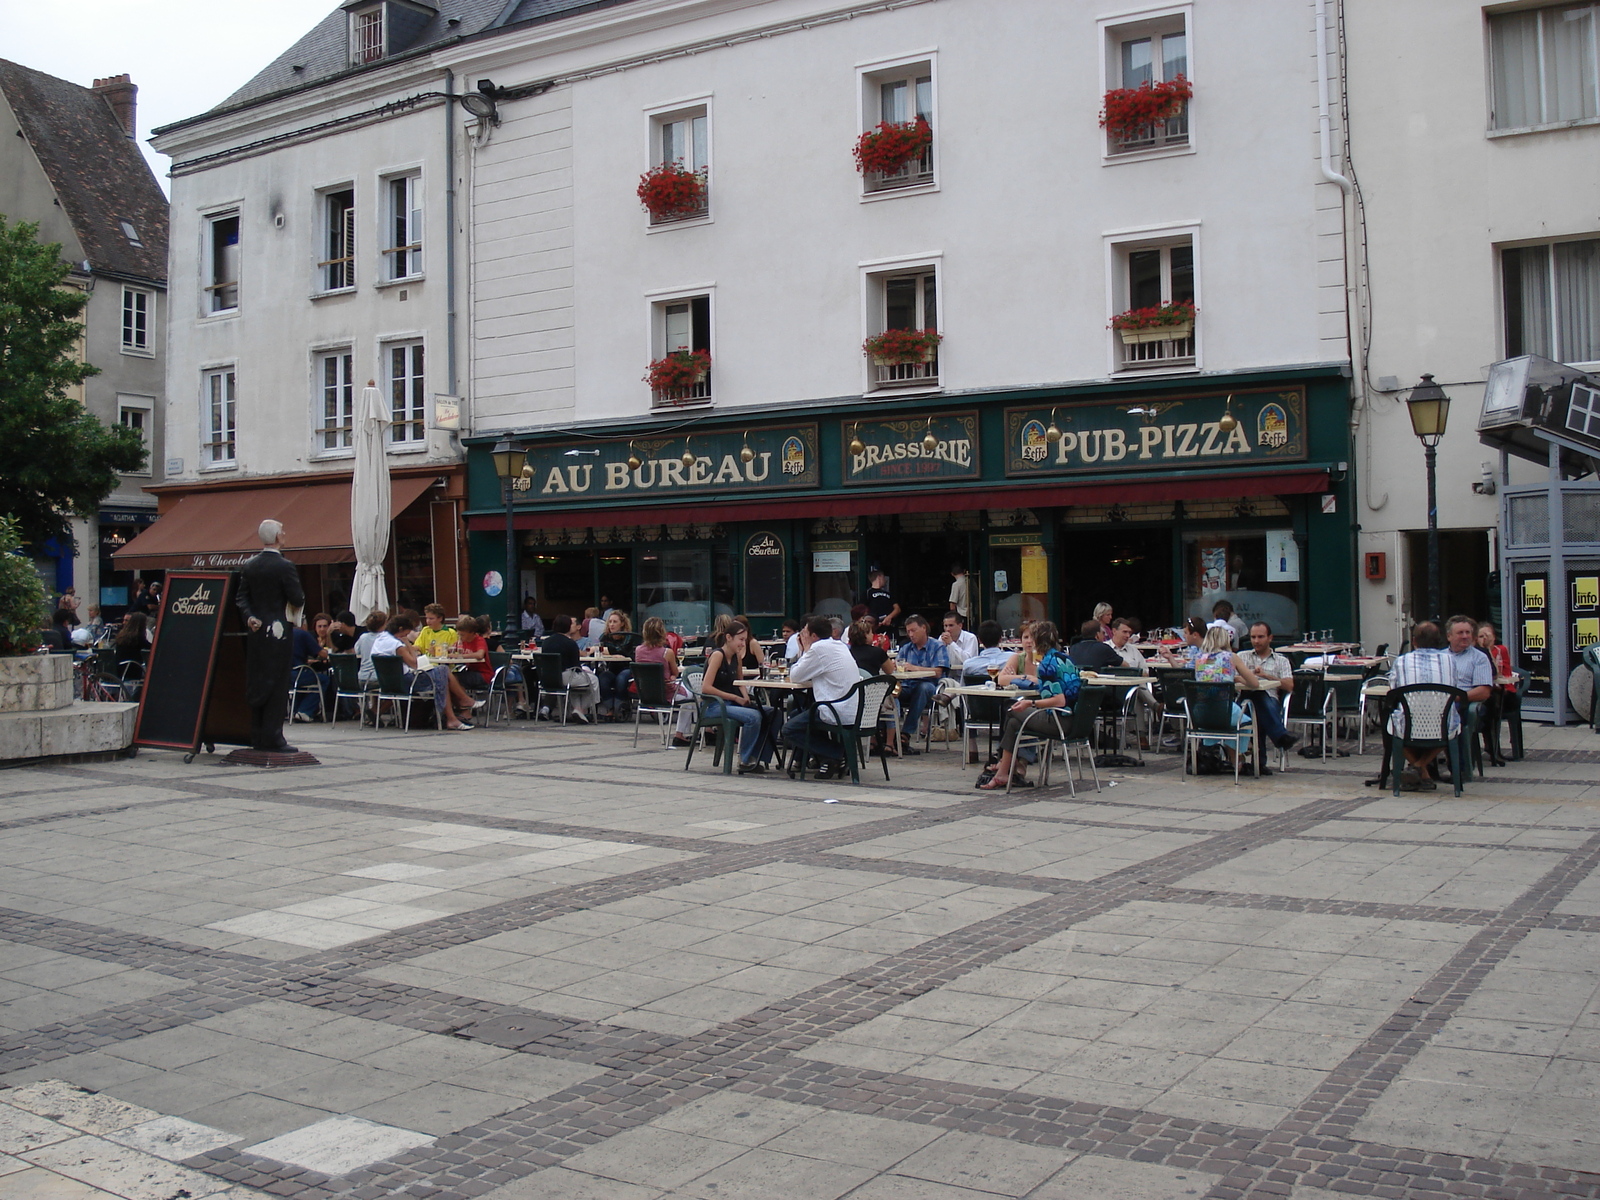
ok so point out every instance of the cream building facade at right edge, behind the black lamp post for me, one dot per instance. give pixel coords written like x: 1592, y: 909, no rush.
x: 1479, y: 241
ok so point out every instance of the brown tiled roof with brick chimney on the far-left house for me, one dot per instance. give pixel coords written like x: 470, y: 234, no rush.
x: 97, y: 170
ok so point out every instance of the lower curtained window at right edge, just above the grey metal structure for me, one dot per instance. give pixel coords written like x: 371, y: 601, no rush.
x: 1553, y: 302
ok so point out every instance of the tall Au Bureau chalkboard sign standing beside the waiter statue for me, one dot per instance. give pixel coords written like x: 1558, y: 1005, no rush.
x: 194, y: 684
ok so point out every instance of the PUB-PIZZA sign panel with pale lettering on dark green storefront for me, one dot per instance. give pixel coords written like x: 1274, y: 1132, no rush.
x: 1217, y: 430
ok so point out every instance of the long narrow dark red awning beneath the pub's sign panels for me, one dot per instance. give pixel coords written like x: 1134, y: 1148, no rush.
x: 868, y: 503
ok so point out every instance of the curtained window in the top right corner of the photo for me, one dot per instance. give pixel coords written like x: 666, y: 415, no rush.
x: 1545, y: 66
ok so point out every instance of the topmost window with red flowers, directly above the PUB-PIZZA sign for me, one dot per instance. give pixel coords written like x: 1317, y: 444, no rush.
x: 1146, y: 55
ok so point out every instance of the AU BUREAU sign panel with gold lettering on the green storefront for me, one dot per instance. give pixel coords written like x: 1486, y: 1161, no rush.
x: 758, y: 460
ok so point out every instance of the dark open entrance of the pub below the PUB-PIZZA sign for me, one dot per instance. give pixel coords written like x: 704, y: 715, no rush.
x: 1129, y: 569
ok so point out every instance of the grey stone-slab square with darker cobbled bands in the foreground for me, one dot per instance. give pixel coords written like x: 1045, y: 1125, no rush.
x: 540, y: 964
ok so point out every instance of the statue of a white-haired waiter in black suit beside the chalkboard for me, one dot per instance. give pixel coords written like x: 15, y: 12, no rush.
x: 268, y: 588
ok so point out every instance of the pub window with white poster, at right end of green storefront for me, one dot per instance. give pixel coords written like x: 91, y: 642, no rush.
x: 1258, y: 574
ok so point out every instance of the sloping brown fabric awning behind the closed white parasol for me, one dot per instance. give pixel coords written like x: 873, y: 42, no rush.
x: 217, y: 530
